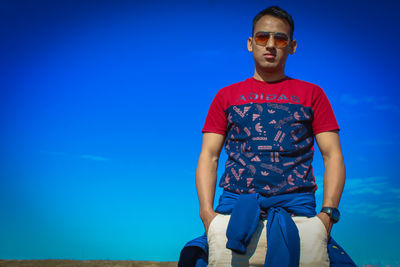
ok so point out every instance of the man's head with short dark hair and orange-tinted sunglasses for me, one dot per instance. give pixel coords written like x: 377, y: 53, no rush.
x: 272, y: 40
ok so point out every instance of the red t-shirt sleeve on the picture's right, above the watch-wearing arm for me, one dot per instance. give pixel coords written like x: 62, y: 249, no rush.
x: 324, y: 118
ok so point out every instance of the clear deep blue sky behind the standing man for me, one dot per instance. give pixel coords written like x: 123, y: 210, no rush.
x: 102, y: 105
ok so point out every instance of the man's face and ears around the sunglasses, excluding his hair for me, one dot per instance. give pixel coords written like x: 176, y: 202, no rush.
x: 270, y: 58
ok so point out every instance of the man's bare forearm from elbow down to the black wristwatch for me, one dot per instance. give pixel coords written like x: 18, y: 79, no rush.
x: 334, y: 179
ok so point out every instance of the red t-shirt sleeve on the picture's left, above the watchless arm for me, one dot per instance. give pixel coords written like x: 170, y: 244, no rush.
x: 216, y: 119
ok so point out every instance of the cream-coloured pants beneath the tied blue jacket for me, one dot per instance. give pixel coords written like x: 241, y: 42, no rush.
x: 313, y: 243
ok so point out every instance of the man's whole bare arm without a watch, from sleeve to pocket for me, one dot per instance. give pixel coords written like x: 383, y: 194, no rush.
x: 206, y: 175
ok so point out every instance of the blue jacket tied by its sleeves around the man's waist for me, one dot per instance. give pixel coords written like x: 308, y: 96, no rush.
x: 283, y: 240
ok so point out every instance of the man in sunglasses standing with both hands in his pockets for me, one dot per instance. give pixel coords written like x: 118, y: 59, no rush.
x: 266, y: 214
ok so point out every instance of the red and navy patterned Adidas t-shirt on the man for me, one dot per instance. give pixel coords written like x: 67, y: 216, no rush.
x: 269, y: 133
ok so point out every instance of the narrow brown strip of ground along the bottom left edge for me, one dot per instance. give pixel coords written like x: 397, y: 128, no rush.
x: 90, y: 263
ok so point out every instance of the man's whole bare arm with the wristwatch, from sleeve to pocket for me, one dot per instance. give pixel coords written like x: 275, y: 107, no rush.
x: 334, y: 175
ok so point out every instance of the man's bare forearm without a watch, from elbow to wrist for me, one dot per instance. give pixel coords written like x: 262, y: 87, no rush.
x: 206, y: 177
